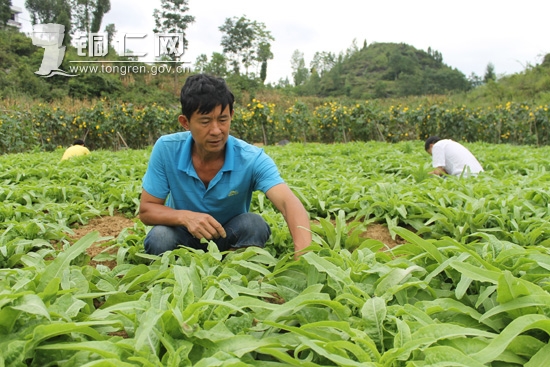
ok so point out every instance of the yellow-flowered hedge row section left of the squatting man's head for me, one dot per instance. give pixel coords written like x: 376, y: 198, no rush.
x: 102, y: 125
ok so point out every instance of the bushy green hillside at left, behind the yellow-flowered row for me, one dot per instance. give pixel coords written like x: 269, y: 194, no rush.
x: 19, y: 59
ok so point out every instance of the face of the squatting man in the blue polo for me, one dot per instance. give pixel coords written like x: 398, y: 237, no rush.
x: 210, y: 131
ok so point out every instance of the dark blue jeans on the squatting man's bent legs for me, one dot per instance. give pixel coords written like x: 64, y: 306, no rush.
x: 248, y: 229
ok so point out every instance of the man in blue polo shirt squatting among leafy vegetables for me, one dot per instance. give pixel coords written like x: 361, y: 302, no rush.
x: 199, y: 183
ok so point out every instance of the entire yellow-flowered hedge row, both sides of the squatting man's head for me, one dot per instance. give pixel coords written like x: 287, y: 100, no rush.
x: 107, y: 125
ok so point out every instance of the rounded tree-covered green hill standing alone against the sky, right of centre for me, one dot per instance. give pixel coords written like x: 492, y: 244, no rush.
x: 384, y: 70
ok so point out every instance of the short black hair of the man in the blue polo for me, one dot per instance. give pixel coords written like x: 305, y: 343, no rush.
x: 202, y: 93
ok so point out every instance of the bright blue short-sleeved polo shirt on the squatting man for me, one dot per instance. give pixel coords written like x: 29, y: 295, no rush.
x: 171, y: 172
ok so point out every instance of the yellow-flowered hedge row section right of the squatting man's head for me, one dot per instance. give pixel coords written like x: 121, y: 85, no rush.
x: 514, y: 123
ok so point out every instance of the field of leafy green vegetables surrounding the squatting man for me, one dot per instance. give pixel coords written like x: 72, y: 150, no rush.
x: 468, y: 287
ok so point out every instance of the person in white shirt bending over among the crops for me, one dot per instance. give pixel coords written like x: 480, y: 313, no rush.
x: 451, y: 158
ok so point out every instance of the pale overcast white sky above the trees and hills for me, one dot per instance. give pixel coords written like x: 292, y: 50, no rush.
x: 469, y: 34
